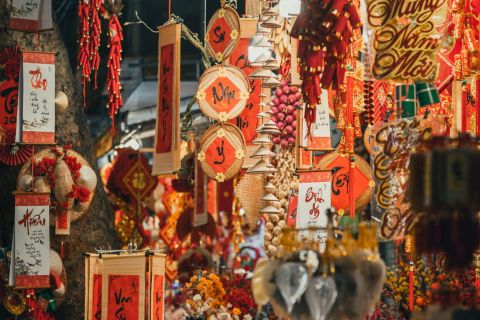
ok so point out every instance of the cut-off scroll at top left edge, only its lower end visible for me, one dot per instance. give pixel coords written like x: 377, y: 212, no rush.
x: 31, y: 15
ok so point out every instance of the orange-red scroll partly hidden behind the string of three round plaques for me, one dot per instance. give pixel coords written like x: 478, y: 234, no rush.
x: 247, y: 121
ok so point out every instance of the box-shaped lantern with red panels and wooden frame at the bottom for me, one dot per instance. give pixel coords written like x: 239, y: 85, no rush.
x: 127, y: 286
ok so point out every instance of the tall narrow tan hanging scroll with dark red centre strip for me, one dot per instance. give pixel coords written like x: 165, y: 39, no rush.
x: 166, y: 156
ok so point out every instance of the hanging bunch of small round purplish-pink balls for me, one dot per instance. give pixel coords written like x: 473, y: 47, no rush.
x: 286, y: 101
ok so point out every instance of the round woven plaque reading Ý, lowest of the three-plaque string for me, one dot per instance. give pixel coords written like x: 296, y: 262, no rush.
x: 222, y: 151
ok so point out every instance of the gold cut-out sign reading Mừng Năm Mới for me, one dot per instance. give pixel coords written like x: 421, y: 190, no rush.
x: 407, y: 36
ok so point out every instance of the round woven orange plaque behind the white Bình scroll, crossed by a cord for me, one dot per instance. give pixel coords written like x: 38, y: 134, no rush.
x: 362, y: 180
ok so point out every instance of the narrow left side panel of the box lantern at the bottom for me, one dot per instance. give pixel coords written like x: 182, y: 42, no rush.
x: 93, y: 287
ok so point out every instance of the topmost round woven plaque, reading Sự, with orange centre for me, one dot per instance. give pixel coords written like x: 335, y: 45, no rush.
x: 223, y: 33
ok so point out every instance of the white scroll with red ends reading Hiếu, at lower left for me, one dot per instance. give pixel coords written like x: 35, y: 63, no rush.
x: 30, y: 266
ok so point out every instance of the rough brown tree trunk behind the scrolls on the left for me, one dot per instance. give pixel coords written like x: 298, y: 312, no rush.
x: 96, y: 228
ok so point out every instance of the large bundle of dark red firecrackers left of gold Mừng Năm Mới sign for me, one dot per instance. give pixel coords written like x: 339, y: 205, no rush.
x: 325, y: 29
